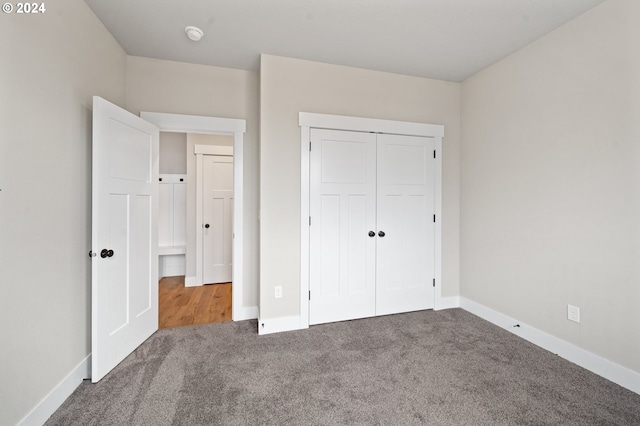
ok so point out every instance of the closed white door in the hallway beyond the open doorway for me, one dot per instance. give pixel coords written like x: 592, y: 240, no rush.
x: 217, y: 217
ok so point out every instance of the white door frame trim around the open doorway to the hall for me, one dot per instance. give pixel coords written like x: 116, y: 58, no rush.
x: 219, y: 126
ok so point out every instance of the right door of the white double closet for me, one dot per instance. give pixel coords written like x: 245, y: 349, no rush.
x: 405, y: 201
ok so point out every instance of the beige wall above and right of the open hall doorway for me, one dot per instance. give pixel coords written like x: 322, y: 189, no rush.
x: 181, y: 88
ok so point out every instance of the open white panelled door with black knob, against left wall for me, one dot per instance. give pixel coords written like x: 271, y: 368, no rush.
x: 124, y: 271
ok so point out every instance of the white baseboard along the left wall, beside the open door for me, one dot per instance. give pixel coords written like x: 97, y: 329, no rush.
x: 50, y: 403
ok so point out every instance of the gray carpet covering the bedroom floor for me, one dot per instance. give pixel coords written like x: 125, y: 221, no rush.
x: 441, y: 368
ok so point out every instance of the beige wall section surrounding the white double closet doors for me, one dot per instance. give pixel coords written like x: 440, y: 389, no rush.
x: 289, y: 86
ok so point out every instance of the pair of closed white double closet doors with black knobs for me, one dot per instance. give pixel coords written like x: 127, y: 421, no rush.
x: 372, y: 205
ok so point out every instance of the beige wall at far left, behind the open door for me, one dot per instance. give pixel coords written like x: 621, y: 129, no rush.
x: 50, y: 66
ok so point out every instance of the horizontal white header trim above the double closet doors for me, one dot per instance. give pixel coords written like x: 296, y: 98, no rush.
x: 359, y: 124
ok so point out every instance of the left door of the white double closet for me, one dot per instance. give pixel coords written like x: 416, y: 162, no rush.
x: 342, y: 206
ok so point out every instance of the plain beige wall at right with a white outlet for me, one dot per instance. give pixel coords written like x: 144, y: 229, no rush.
x: 550, y: 204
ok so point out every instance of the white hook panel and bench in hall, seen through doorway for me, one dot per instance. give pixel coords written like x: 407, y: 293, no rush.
x: 172, y: 223
